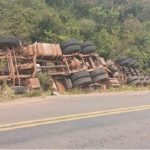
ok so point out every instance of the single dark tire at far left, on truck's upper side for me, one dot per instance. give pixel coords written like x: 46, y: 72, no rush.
x: 9, y: 42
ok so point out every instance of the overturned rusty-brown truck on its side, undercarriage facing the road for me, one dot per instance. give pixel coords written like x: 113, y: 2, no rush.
x: 71, y: 64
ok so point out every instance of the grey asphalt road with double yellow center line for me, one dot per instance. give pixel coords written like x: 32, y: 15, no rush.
x: 89, y: 121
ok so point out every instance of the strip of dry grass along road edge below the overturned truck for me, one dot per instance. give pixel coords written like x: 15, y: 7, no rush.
x: 7, y: 93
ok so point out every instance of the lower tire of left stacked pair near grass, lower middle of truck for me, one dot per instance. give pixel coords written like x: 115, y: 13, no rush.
x: 82, y: 81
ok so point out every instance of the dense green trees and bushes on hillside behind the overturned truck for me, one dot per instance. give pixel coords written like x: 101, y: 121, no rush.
x: 118, y: 27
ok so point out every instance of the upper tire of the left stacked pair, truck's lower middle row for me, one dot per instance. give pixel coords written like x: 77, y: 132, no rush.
x: 79, y: 75
